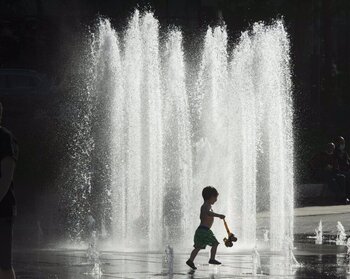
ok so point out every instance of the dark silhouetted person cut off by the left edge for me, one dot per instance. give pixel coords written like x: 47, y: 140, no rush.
x: 8, y: 158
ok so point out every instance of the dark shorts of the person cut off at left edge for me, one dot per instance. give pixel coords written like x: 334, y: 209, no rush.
x: 6, y: 225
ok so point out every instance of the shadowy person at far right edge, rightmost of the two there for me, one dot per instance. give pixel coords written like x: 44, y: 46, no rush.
x: 343, y: 160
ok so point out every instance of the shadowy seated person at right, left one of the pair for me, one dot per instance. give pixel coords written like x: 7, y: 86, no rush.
x: 325, y: 168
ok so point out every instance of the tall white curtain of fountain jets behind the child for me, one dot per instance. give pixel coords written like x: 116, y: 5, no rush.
x: 168, y: 132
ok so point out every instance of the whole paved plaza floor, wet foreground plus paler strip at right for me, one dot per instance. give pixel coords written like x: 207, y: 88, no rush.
x: 316, y: 261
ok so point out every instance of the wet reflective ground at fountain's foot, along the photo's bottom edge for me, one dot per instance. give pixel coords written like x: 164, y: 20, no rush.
x: 66, y: 264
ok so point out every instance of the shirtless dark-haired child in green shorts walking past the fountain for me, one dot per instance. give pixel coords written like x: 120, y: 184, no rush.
x: 203, y: 235
